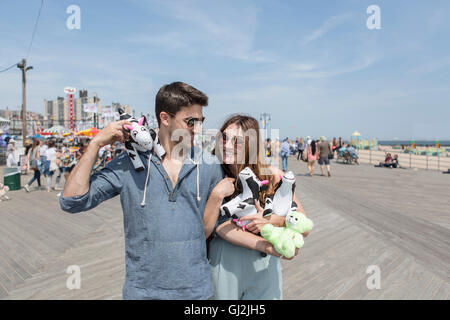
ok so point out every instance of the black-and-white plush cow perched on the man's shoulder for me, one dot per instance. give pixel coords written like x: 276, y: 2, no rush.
x: 141, y: 139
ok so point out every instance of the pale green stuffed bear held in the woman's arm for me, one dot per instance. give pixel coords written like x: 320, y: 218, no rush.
x: 286, y: 239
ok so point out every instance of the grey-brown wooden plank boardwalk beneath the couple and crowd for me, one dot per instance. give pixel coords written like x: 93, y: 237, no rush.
x: 398, y: 220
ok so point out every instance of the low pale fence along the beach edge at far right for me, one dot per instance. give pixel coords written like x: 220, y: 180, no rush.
x: 408, y: 160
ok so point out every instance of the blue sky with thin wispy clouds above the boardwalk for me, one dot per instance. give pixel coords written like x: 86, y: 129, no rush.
x: 314, y: 66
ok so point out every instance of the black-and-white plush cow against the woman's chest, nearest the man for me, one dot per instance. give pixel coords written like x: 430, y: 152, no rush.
x: 244, y: 203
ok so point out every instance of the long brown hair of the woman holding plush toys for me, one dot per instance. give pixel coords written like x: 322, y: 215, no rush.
x: 247, y: 124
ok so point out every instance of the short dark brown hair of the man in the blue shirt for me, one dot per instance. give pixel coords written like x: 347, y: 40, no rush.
x: 172, y: 97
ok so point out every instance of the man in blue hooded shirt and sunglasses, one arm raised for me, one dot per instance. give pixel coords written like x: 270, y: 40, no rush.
x: 162, y: 205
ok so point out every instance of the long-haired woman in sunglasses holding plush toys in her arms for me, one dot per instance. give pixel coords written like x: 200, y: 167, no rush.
x: 243, y: 264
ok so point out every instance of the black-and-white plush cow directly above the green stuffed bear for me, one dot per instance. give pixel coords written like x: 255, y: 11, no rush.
x: 282, y: 202
